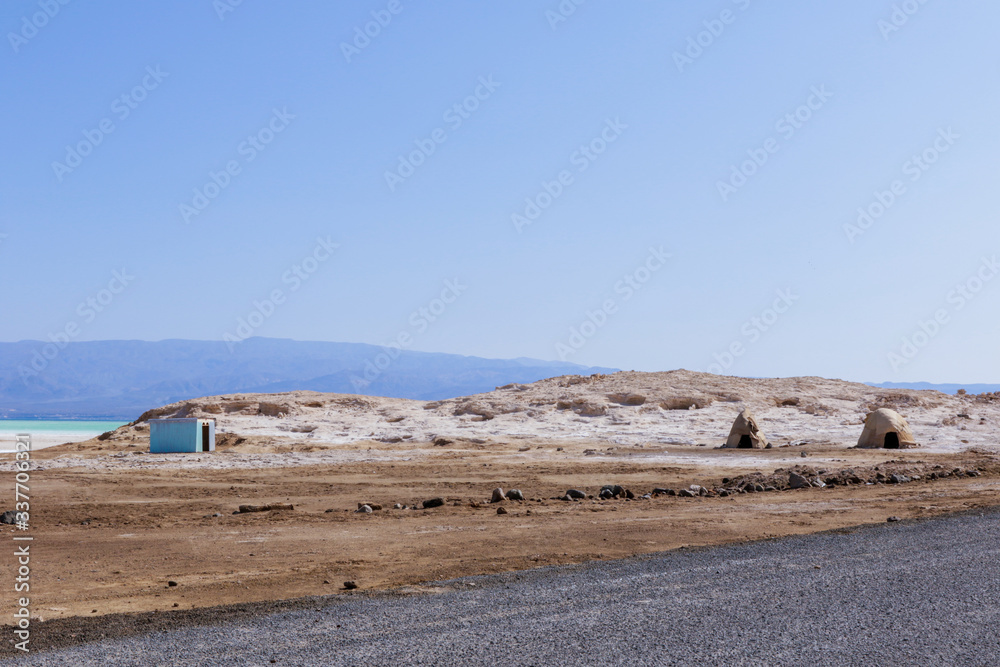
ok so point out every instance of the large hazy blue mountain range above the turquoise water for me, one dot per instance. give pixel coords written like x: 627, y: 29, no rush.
x: 120, y: 379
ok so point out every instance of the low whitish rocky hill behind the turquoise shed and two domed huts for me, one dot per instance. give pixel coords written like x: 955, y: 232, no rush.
x: 624, y: 408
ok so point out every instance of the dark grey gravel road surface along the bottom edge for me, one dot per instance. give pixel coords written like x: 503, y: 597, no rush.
x: 906, y: 593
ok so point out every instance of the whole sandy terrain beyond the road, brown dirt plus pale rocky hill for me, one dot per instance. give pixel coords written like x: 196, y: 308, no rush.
x: 113, y: 524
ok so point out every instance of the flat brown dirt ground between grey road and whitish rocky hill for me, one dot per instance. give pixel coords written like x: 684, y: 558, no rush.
x: 108, y: 542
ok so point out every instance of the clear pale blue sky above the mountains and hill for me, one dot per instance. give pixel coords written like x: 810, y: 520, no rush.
x: 611, y: 119
